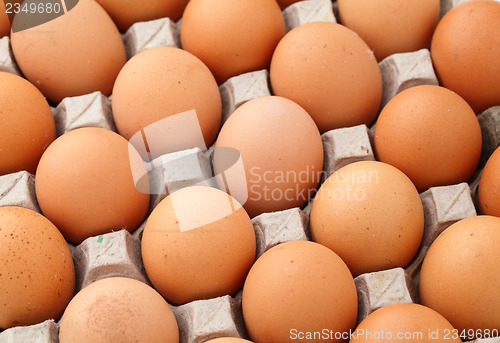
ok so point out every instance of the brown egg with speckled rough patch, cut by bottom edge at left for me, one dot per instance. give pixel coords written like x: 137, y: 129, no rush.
x: 116, y: 310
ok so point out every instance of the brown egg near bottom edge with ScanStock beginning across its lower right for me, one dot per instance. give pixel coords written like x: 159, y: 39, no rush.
x: 298, y: 287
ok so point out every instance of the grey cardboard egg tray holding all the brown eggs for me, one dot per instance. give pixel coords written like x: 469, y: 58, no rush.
x: 119, y: 253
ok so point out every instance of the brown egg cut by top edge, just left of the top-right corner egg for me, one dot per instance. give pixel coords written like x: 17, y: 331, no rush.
x: 391, y: 26
